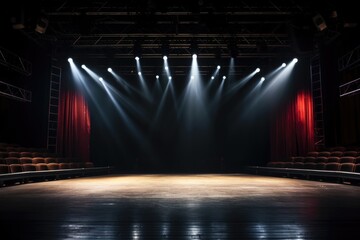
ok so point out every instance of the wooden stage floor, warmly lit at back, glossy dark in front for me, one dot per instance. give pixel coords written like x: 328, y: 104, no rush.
x: 204, y: 206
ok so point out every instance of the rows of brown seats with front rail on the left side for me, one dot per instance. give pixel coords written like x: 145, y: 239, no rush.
x: 19, y: 165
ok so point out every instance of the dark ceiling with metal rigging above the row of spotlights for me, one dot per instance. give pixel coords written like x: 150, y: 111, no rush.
x: 256, y: 32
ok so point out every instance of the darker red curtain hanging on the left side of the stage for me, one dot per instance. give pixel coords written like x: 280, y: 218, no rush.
x: 74, y: 126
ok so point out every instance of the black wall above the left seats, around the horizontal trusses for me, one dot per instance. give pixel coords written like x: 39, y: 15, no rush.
x: 24, y: 123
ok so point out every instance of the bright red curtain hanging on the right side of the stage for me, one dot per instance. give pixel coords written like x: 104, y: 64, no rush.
x: 292, y: 132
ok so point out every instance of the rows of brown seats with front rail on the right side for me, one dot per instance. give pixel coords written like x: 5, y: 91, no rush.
x: 336, y: 163
